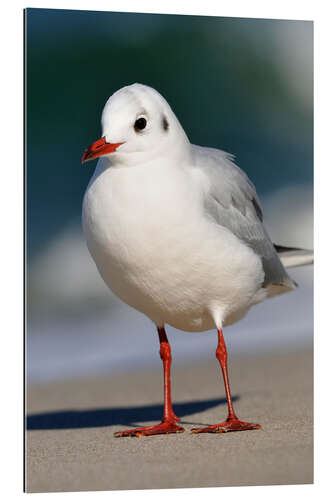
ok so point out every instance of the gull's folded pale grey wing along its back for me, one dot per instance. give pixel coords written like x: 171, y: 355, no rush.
x: 231, y: 200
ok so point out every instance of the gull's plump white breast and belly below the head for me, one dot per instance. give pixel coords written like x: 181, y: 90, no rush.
x: 154, y: 248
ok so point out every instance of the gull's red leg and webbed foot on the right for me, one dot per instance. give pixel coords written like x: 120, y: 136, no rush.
x: 232, y: 423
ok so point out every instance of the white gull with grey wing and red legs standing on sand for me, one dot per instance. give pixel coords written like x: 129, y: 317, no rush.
x: 176, y: 231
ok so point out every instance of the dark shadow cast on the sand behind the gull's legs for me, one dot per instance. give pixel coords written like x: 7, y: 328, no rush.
x: 102, y: 417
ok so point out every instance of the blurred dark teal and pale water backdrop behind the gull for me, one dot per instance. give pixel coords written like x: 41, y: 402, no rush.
x: 242, y: 85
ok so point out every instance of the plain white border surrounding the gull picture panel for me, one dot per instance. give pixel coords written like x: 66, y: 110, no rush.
x: 11, y: 233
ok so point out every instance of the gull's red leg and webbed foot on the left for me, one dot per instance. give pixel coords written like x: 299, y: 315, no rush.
x: 168, y: 424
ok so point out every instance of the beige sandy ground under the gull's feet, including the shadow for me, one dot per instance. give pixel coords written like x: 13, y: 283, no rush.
x: 70, y: 444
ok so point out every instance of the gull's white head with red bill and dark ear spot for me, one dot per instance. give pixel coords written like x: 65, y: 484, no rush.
x: 138, y: 126
